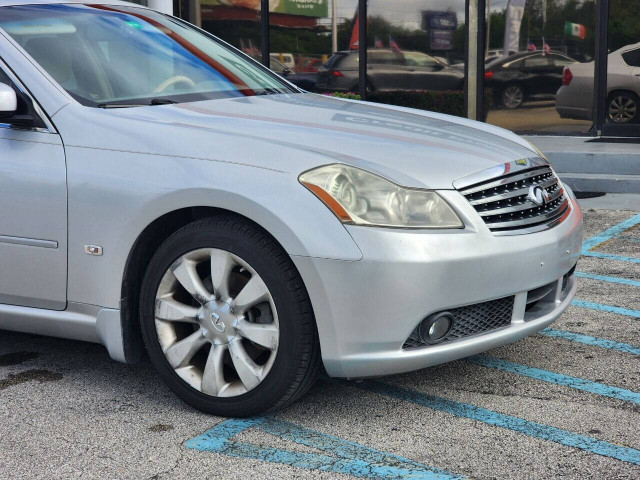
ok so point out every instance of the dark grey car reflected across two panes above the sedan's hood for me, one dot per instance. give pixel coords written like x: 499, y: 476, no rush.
x: 389, y: 70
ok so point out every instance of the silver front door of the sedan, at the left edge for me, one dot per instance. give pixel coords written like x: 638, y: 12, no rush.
x: 33, y: 214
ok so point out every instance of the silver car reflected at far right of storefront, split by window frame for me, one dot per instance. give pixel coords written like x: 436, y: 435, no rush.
x: 575, y: 97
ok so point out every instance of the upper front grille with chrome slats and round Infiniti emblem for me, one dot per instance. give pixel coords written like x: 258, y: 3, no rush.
x: 504, y: 203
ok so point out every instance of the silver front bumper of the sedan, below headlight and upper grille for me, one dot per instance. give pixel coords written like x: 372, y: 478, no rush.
x: 367, y: 309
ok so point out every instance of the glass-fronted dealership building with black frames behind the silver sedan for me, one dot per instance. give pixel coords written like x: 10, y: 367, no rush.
x: 564, y: 73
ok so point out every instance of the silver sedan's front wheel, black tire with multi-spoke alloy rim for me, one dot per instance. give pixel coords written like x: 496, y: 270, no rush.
x: 212, y: 333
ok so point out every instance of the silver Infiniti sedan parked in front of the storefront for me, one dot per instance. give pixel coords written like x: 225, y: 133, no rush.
x: 162, y: 192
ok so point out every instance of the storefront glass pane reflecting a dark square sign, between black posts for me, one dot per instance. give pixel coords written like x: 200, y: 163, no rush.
x: 416, y: 54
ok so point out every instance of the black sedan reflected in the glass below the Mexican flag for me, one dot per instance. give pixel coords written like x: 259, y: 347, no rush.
x: 525, y: 76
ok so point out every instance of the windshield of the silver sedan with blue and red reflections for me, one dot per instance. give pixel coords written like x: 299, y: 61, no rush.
x: 119, y: 56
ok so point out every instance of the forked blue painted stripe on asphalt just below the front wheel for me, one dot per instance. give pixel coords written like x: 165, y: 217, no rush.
x: 342, y: 456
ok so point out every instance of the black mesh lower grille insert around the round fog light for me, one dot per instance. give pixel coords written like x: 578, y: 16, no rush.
x: 472, y: 320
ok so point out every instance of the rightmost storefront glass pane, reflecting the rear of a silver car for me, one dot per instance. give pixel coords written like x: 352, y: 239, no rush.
x: 622, y: 103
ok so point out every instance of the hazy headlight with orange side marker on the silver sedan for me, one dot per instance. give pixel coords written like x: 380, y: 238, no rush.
x: 358, y: 197
